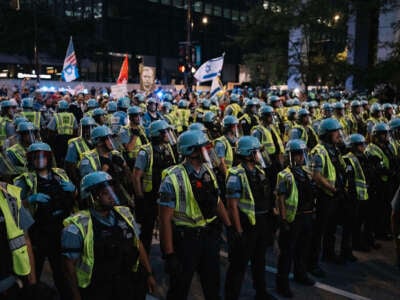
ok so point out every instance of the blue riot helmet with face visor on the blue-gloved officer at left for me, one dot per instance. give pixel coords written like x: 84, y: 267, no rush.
x: 39, y: 156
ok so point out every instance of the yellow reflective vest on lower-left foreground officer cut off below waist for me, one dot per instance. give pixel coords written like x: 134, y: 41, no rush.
x: 83, y: 221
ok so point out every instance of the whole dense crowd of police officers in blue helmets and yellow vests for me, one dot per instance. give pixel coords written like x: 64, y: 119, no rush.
x: 86, y: 183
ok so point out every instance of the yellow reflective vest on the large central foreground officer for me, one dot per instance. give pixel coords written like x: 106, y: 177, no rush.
x: 187, y: 211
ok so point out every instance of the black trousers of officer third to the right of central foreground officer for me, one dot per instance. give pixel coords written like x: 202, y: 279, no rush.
x: 324, y: 229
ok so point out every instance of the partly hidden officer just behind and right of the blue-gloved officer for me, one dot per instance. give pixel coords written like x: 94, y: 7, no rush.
x: 77, y: 146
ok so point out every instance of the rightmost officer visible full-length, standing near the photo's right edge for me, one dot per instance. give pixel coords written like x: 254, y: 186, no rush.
x: 381, y: 156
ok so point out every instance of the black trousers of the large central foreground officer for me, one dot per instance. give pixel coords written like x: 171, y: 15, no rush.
x: 197, y: 250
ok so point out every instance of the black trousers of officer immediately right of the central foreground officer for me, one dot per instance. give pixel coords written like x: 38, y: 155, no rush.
x: 252, y: 247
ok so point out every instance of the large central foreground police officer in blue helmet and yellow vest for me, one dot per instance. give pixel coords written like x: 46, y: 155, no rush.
x: 189, y: 205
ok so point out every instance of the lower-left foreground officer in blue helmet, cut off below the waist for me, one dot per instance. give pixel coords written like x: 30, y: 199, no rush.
x: 101, y: 246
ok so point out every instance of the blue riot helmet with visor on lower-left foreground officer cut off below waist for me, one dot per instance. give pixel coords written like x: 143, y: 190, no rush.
x: 98, y: 188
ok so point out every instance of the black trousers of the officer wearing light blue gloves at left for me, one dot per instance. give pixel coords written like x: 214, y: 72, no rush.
x: 49, y: 245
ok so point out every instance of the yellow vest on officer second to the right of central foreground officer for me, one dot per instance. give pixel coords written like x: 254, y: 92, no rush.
x: 292, y: 200
